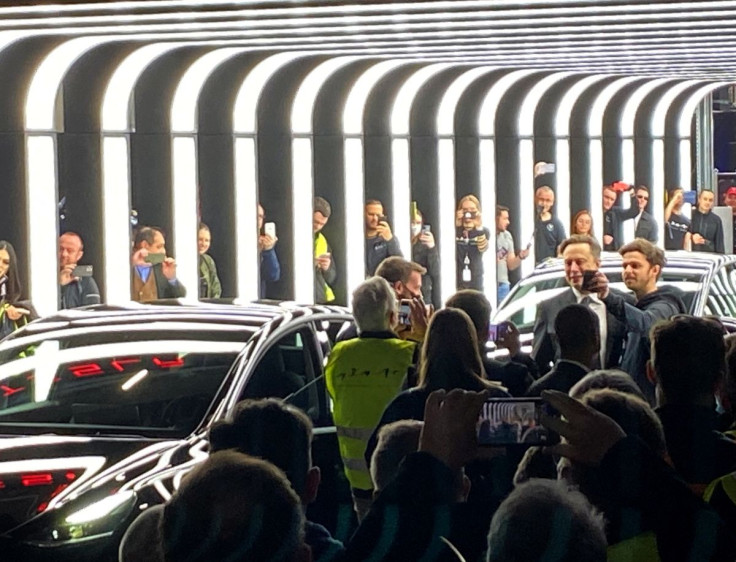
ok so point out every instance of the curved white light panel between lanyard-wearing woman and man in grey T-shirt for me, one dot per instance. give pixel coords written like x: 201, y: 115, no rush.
x: 487, y: 159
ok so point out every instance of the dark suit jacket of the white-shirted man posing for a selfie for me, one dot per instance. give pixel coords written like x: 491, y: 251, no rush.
x: 545, y: 349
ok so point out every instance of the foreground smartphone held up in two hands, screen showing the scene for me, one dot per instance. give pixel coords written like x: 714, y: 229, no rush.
x: 513, y: 421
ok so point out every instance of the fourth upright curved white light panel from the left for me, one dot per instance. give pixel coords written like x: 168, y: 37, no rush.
x: 184, y: 176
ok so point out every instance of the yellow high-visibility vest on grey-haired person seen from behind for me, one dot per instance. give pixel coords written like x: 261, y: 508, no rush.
x: 363, y: 375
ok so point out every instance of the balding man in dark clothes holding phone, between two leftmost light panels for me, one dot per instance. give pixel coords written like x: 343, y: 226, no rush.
x: 77, y: 286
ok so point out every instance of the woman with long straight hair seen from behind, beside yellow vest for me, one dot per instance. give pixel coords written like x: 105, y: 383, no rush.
x: 449, y: 359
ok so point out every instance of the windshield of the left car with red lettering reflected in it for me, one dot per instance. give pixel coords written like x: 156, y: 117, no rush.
x: 154, y: 383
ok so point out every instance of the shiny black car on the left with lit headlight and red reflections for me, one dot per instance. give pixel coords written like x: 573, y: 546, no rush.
x: 103, y: 411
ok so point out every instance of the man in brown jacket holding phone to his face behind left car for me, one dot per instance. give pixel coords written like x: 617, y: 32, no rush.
x: 154, y: 273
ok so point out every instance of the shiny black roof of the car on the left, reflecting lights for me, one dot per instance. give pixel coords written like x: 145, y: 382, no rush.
x: 224, y: 312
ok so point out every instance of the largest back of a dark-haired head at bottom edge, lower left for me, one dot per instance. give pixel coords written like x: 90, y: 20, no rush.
x: 233, y: 505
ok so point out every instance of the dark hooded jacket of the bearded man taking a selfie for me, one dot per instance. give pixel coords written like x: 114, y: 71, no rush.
x: 638, y: 319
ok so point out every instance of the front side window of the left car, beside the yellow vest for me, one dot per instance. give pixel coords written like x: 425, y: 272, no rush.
x: 288, y: 371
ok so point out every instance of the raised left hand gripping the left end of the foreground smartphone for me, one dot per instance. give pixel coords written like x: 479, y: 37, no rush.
x: 449, y: 426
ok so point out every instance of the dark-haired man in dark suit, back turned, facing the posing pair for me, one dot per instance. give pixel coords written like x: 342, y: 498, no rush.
x: 577, y: 331
